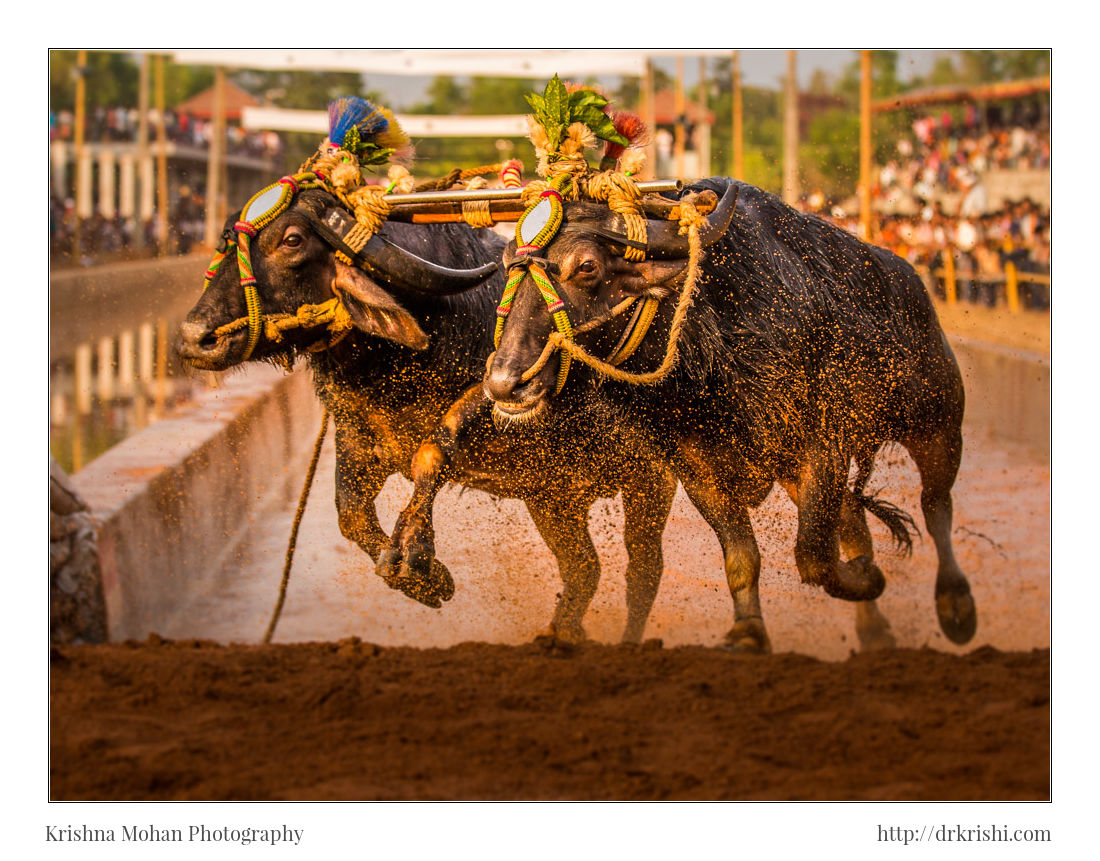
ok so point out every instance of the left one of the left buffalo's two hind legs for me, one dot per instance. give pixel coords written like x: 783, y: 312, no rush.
x: 564, y: 524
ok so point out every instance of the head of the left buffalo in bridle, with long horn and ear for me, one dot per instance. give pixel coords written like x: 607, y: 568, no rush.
x: 298, y: 271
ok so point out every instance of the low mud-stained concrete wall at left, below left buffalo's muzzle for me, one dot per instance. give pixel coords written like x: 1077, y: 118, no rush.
x: 172, y: 502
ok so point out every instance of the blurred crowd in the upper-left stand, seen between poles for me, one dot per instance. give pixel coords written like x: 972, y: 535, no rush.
x: 120, y: 126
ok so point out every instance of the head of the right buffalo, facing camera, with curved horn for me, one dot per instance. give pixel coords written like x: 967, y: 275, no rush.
x: 586, y: 263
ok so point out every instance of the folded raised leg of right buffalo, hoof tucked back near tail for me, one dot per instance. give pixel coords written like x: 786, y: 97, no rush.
x: 820, y: 493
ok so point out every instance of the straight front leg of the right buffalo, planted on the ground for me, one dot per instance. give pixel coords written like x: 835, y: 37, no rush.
x: 730, y: 520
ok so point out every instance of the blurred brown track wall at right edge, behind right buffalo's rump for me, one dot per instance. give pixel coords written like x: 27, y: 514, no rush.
x: 1008, y: 393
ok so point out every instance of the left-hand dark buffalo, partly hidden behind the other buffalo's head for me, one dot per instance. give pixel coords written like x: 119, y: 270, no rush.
x: 409, y: 372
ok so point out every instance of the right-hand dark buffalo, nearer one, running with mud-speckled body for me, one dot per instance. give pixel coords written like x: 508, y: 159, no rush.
x: 806, y: 350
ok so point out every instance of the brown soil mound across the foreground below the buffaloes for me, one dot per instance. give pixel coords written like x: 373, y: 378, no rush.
x: 351, y: 721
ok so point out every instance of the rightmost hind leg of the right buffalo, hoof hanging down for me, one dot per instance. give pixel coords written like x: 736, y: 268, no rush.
x: 938, y: 460
